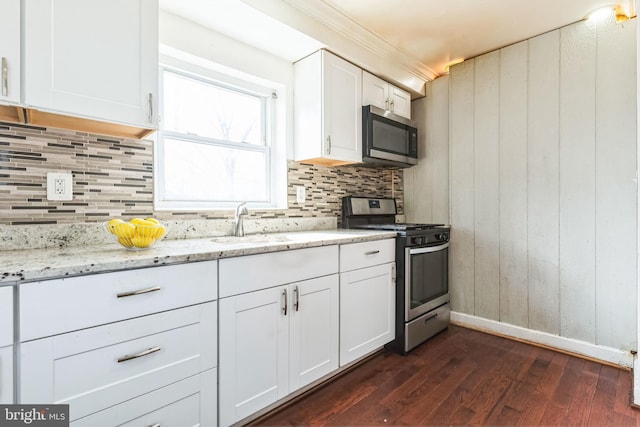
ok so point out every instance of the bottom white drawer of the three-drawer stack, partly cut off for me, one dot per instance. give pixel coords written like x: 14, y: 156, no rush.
x: 190, y: 402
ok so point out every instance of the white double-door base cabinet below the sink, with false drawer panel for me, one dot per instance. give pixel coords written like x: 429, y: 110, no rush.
x: 276, y: 340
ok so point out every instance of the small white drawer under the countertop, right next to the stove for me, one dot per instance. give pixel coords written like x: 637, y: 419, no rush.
x: 366, y: 254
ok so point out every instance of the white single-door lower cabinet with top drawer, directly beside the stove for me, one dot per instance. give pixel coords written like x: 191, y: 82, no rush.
x: 367, y: 299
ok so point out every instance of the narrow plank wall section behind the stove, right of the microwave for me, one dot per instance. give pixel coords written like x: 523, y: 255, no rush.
x: 426, y: 185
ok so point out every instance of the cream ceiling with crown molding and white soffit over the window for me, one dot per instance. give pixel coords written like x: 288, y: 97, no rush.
x: 406, y: 41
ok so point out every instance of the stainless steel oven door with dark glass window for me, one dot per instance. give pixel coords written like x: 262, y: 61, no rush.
x: 429, y: 274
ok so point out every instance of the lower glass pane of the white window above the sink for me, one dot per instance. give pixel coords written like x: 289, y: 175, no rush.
x: 203, y: 172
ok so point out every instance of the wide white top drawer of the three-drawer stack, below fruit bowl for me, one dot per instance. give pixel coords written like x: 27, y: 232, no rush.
x: 58, y: 306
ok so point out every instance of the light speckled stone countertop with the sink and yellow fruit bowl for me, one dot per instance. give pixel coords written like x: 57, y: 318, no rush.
x: 30, y: 265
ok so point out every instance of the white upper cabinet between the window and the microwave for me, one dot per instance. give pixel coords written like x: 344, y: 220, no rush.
x: 327, y: 110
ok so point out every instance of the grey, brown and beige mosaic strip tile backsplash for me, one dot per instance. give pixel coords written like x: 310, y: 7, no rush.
x: 113, y: 177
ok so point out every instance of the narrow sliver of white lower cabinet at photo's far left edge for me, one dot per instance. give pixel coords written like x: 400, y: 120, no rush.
x: 6, y: 344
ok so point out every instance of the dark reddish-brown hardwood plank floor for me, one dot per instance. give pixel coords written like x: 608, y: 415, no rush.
x: 465, y: 377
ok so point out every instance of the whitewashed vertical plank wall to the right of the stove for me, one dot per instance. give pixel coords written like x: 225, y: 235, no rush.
x: 542, y: 177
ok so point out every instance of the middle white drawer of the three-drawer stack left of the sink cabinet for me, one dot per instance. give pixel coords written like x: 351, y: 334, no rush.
x: 103, y: 366
